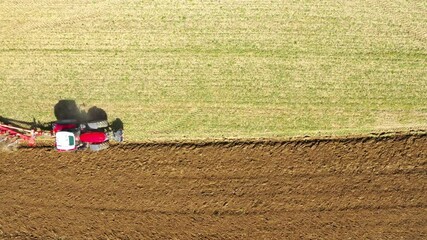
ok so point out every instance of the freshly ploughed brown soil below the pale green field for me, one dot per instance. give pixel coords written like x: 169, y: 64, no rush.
x: 353, y: 188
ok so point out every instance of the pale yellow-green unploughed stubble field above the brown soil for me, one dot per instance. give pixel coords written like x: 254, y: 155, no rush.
x: 220, y: 69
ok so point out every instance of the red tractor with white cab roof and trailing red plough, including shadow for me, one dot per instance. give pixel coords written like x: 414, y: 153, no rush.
x: 73, y: 130
